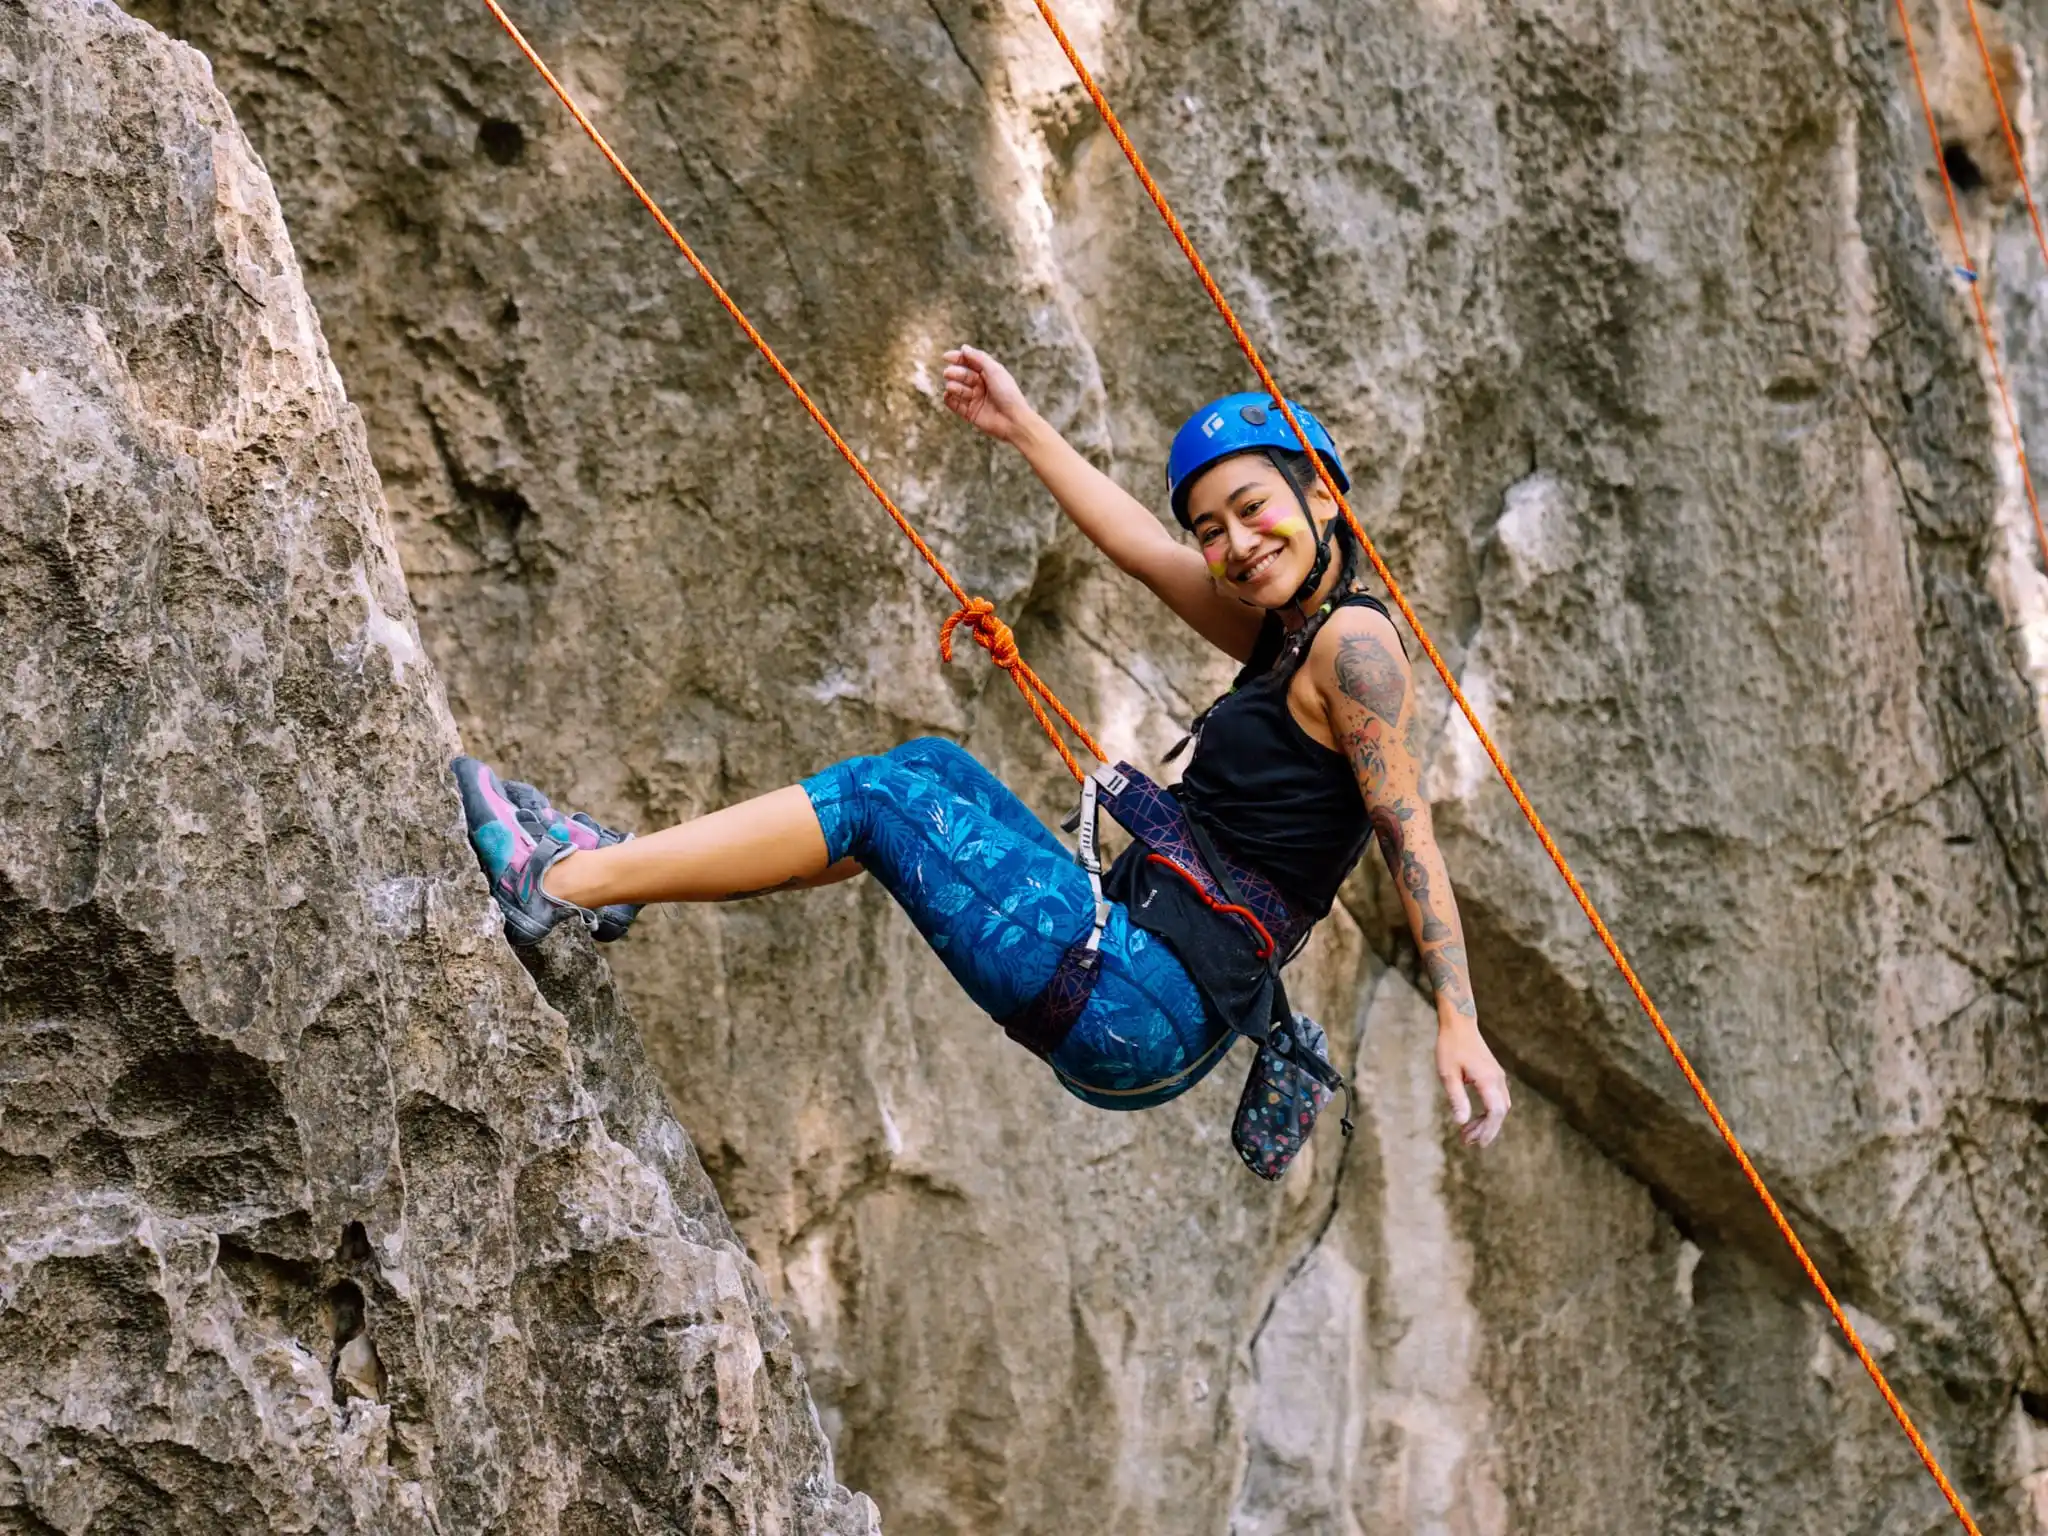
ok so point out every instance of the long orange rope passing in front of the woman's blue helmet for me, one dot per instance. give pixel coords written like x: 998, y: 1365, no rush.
x: 1506, y: 773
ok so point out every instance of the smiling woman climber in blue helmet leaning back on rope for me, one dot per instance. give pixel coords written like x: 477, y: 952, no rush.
x: 1132, y: 986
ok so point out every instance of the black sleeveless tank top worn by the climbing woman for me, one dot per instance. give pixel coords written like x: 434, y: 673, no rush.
x: 1271, y: 794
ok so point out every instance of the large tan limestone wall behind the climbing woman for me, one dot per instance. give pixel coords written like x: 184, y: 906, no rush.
x: 1658, y: 388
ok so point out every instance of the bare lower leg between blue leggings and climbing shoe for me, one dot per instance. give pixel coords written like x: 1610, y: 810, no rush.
x: 765, y: 845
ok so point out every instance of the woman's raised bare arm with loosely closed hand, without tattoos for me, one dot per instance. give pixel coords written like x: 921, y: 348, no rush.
x: 982, y: 394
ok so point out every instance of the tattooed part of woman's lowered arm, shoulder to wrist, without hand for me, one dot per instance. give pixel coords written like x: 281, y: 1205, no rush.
x: 1373, y: 714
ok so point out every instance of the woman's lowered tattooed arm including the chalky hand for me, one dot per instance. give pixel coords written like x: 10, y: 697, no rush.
x: 1363, y: 679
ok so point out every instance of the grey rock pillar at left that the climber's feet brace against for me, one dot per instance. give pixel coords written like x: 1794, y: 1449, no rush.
x: 314, y: 1215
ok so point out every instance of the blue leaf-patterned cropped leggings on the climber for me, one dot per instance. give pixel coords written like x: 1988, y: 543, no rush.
x: 998, y: 898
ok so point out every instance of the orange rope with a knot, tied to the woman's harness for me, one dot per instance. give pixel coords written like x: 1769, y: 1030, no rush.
x: 976, y: 615
